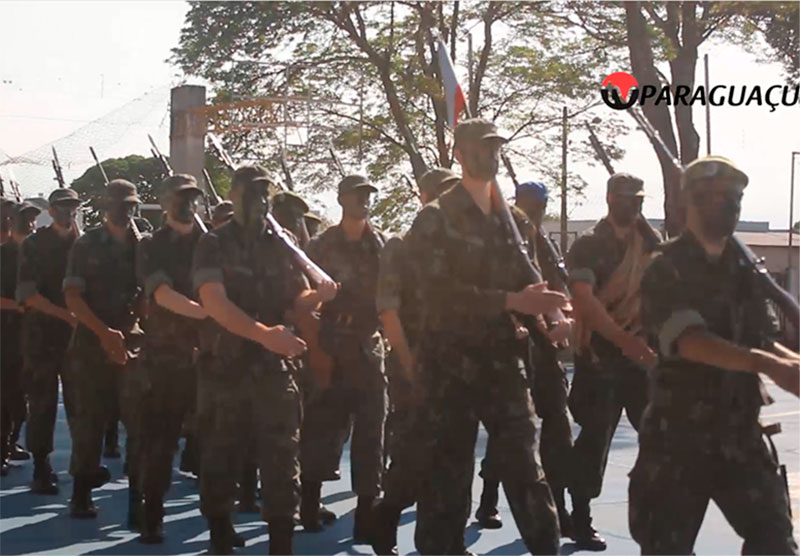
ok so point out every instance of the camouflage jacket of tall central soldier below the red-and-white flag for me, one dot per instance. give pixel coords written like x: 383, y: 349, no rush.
x: 465, y: 262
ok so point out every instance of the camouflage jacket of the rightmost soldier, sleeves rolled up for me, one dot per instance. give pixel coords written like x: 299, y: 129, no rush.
x: 684, y: 288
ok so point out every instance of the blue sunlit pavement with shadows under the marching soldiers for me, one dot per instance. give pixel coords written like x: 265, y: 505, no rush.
x: 39, y: 525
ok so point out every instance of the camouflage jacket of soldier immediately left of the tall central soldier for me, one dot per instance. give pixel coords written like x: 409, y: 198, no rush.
x: 354, y: 264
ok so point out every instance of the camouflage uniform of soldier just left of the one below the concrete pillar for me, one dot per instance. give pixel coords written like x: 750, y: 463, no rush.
x: 104, y: 272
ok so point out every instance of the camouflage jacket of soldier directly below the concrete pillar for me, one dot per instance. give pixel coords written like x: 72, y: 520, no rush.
x: 166, y: 258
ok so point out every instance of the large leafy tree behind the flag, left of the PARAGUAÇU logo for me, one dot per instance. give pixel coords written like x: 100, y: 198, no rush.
x: 376, y: 59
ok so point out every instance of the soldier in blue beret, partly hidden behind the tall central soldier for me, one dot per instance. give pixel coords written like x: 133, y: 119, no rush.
x: 549, y: 384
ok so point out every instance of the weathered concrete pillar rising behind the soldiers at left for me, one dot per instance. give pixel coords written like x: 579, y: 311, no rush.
x: 187, y: 131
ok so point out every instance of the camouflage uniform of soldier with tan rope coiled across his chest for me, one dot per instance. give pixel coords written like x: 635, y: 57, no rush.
x: 605, y: 382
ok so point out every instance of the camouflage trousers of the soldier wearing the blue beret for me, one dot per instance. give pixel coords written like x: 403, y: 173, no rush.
x: 549, y: 388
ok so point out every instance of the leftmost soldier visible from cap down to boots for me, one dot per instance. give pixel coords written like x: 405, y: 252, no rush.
x: 47, y: 327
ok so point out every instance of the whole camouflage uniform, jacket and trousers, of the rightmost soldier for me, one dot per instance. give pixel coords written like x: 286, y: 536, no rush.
x: 700, y: 438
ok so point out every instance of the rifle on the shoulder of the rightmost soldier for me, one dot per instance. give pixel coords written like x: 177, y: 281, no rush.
x: 756, y: 266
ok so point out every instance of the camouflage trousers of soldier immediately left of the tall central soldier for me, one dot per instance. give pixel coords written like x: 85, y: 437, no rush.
x: 356, y: 400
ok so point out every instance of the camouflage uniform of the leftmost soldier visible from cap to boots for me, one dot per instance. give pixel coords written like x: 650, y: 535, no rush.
x: 42, y: 266
